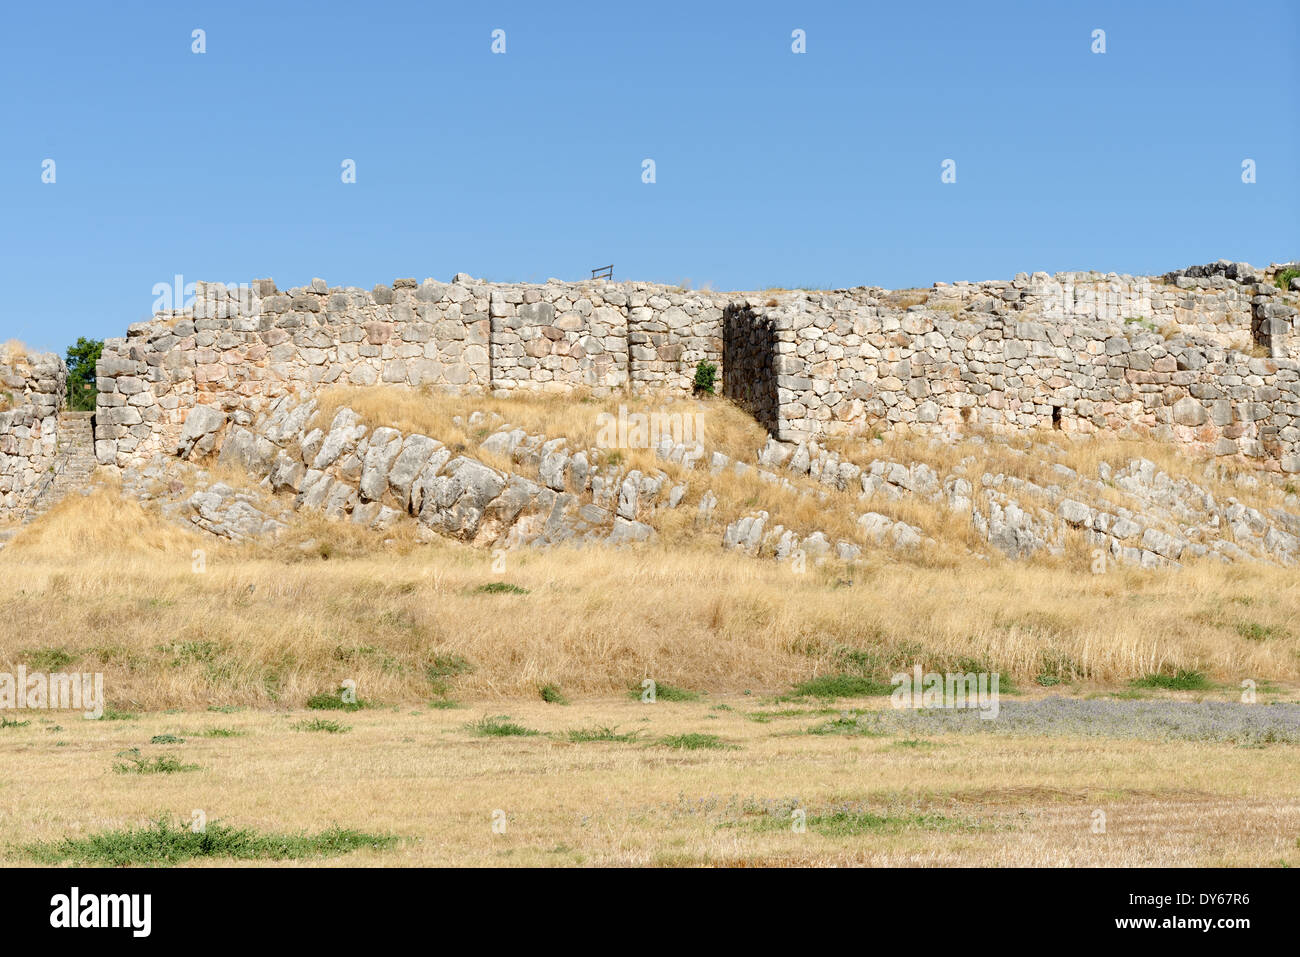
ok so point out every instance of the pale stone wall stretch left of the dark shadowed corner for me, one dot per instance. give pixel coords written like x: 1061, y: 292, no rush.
x: 239, y: 350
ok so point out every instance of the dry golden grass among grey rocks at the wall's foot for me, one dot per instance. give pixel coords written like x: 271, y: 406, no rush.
x: 729, y: 430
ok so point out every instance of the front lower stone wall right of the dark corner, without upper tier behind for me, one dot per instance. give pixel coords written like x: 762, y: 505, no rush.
x: 852, y: 361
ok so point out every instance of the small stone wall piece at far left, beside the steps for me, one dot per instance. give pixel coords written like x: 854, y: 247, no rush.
x: 33, y: 387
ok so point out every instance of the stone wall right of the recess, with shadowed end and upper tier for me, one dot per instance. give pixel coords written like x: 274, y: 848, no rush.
x: 1041, y: 353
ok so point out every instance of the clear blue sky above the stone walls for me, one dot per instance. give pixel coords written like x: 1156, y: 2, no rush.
x: 773, y: 168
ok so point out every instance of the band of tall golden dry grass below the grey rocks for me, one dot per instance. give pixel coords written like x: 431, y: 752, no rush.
x: 115, y: 588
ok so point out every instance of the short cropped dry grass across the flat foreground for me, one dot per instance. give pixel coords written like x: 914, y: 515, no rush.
x: 985, y: 800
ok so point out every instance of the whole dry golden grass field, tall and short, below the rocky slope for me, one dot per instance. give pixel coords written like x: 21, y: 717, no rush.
x: 223, y: 669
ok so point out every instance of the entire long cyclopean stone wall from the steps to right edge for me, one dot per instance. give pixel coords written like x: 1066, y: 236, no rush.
x: 1207, y: 357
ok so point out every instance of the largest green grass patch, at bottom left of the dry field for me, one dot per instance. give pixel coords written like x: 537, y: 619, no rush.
x: 167, y: 845
